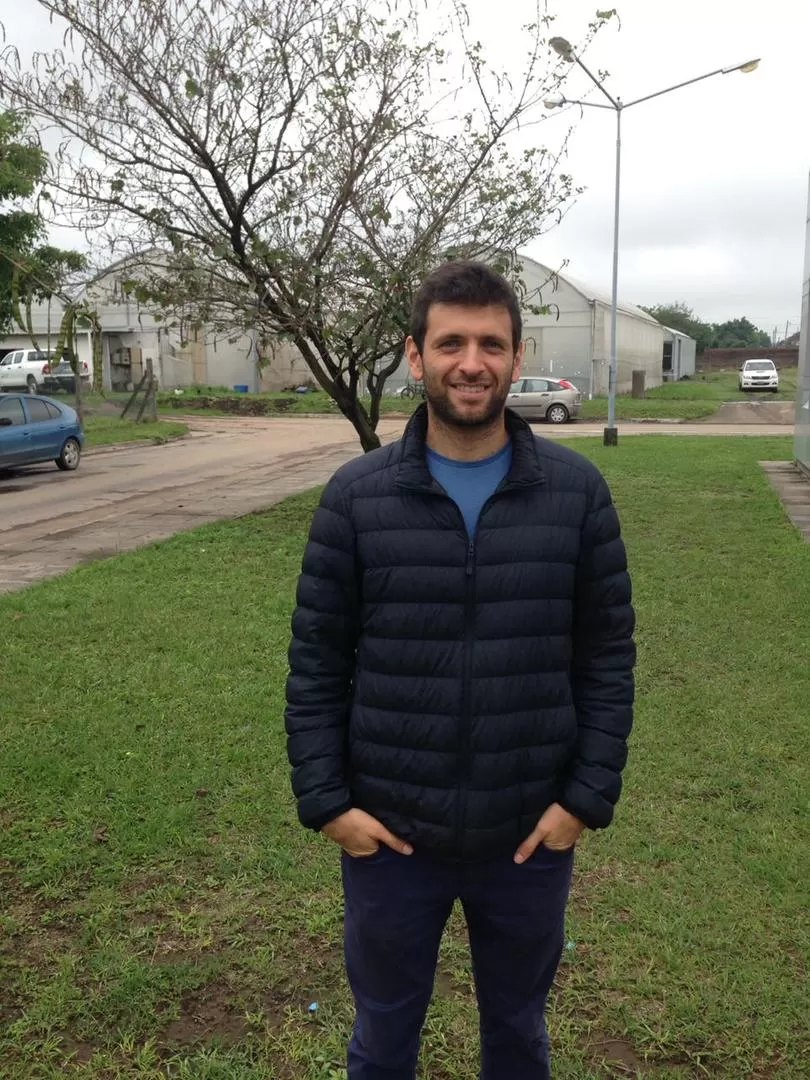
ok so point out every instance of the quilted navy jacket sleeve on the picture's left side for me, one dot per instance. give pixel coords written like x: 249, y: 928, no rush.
x: 322, y: 657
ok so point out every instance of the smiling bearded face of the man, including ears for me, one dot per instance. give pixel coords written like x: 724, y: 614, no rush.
x: 468, y: 364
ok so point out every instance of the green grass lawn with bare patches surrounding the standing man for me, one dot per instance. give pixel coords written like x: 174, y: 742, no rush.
x: 164, y: 915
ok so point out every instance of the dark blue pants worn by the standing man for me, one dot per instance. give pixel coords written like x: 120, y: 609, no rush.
x: 397, y: 908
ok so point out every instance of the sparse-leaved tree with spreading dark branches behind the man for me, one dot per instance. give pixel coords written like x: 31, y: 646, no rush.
x: 303, y: 163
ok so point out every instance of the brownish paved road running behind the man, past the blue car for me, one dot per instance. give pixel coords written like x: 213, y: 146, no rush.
x: 119, y: 501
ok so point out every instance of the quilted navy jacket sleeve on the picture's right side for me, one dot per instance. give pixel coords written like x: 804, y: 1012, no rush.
x: 603, y: 660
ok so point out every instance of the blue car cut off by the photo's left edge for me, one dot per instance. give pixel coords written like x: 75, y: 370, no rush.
x: 39, y: 429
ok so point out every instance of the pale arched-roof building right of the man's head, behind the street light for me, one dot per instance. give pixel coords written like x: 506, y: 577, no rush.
x: 574, y: 341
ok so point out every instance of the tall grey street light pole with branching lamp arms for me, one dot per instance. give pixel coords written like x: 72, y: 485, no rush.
x: 565, y: 50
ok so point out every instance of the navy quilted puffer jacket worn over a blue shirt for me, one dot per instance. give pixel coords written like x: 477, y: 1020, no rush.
x: 455, y: 688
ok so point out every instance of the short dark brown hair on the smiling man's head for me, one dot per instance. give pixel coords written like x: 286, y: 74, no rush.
x: 467, y: 285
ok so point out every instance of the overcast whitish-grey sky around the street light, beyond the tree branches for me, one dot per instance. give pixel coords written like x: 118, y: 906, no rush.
x: 714, y: 177
